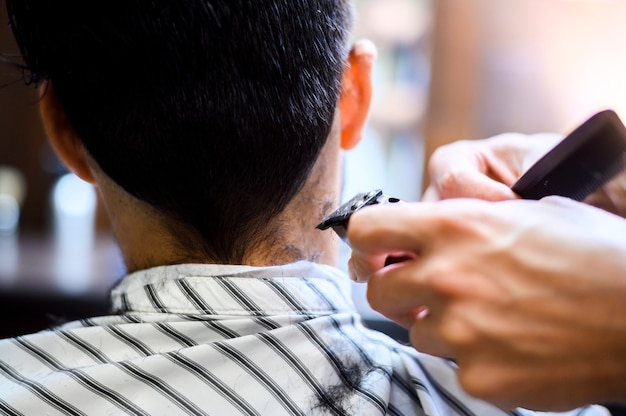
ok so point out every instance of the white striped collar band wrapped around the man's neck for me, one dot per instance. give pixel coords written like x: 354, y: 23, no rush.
x: 301, y: 288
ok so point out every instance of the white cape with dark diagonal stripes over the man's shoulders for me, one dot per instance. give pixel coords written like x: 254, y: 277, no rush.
x: 228, y: 340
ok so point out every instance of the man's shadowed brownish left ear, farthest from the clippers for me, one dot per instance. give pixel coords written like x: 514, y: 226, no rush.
x: 62, y: 135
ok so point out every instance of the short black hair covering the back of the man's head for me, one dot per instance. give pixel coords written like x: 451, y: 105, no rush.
x: 211, y: 111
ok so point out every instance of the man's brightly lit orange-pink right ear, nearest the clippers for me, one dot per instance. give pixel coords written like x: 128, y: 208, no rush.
x: 356, y: 94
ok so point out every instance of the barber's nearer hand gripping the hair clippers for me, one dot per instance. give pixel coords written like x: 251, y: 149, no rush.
x: 529, y: 297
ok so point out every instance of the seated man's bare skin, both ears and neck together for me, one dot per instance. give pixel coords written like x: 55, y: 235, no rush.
x: 291, y: 235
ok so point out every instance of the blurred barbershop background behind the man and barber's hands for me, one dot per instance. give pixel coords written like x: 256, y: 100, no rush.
x: 447, y: 70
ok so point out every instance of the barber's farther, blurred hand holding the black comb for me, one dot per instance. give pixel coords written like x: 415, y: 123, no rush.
x: 484, y: 169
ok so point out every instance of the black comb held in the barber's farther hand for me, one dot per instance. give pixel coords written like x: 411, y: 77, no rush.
x: 581, y: 163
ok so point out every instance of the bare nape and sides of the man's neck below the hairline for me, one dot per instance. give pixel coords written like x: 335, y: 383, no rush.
x: 146, y: 241
